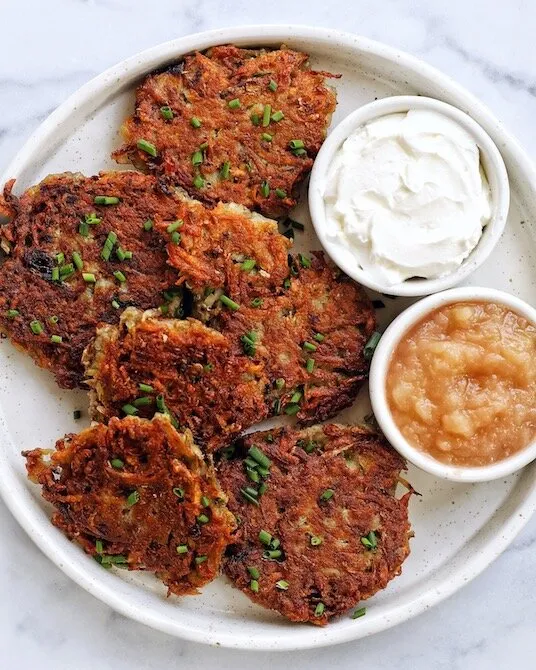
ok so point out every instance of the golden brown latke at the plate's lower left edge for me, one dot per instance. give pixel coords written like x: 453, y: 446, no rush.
x: 138, y: 494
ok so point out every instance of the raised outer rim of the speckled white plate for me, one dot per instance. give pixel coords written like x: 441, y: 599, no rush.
x: 29, y: 514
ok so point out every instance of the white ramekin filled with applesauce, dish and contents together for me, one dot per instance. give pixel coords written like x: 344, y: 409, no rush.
x: 453, y: 384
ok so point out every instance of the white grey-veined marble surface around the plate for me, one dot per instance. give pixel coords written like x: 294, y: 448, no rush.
x: 47, y: 50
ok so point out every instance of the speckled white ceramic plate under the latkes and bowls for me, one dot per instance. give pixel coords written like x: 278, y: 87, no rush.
x: 459, y: 528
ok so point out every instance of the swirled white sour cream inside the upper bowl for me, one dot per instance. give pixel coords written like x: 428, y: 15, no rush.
x: 406, y: 195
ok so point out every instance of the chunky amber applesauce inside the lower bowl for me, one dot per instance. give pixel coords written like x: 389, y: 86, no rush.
x: 461, y: 384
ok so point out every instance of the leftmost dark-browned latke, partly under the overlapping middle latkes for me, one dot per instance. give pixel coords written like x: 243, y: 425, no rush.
x: 37, y: 288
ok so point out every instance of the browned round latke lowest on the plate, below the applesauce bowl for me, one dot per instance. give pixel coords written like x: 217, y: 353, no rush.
x: 328, y: 531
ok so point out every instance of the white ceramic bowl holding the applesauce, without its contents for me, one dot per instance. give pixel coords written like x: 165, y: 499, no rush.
x: 378, y: 375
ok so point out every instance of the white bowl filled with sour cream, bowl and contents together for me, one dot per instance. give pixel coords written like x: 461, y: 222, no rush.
x: 409, y: 195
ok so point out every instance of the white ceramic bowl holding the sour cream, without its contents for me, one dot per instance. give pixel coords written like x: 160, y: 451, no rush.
x: 491, y: 161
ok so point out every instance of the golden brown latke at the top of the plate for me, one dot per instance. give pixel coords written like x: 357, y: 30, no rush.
x: 230, y: 118
